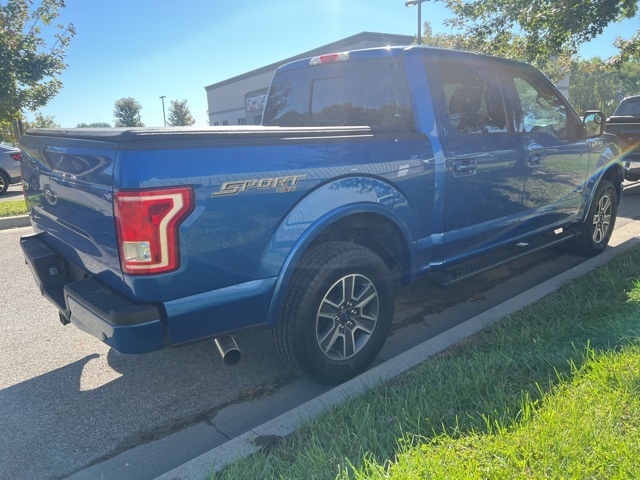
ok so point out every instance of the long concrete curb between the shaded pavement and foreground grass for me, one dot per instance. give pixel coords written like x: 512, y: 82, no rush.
x: 249, y: 442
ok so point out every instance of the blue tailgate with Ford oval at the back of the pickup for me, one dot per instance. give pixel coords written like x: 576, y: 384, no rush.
x: 69, y: 195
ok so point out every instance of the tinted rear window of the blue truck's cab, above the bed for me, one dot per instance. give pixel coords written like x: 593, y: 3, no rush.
x: 353, y: 93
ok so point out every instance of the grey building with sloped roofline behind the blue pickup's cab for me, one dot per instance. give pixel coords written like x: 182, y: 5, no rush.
x: 240, y: 100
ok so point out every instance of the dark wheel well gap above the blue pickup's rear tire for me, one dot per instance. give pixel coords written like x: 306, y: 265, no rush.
x: 374, y: 232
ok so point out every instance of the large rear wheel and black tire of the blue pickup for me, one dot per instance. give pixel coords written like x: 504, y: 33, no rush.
x: 337, y: 312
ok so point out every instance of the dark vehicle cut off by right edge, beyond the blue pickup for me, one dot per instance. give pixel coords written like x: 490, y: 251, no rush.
x: 625, y: 123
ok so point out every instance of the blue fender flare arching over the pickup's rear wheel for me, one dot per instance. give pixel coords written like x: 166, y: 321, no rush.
x: 319, y: 210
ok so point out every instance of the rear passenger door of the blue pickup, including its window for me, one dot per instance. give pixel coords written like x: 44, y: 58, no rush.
x: 485, y: 159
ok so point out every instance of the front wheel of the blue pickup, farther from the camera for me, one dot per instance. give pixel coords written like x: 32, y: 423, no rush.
x: 598, y: 225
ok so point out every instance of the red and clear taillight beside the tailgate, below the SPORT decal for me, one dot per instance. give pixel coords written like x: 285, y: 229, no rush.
x: 147, y: 224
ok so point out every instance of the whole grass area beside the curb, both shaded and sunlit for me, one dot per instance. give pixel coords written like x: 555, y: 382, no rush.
x: 552, y: 391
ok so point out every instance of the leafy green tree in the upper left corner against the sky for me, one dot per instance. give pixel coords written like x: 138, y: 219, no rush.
x: 32, y: 54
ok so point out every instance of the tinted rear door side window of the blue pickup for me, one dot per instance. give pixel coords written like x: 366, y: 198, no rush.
x: 473, y: 102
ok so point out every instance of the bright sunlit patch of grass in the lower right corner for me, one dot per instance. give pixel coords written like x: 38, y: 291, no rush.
x: 586, y: 427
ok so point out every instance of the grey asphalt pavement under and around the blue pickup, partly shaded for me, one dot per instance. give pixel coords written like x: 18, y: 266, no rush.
x: 70, y: 407
